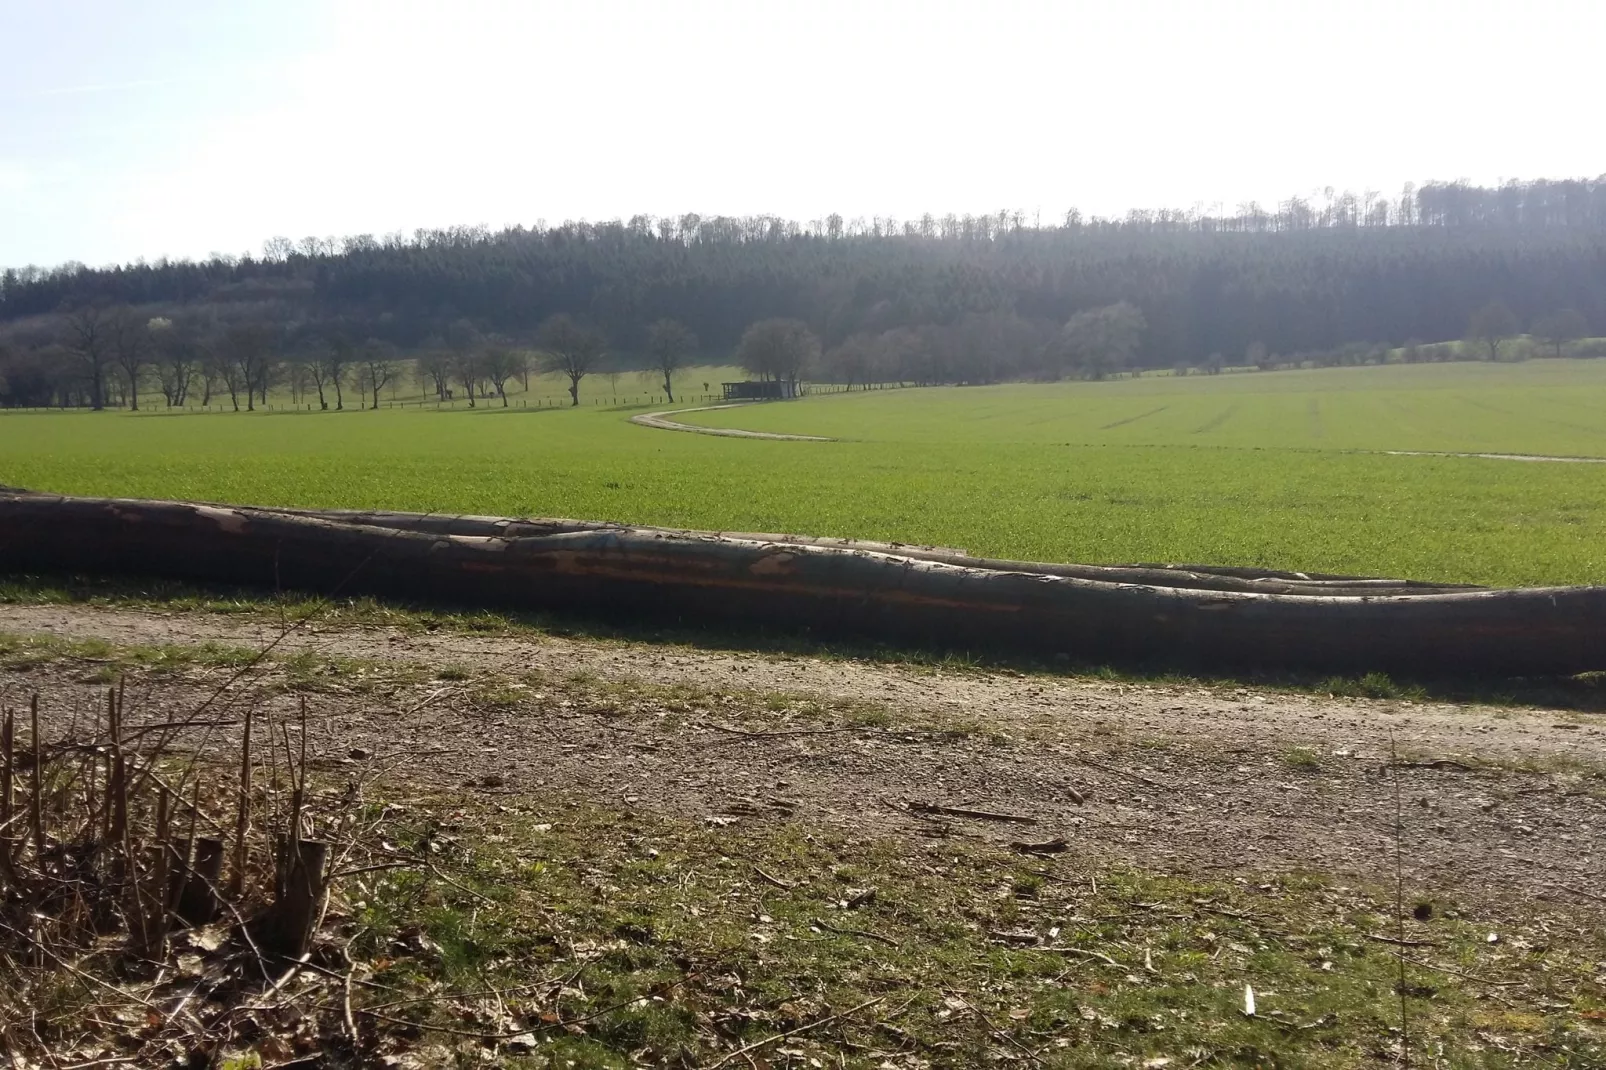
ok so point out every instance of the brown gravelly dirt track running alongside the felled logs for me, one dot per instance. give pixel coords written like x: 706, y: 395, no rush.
x: 1175, y: 778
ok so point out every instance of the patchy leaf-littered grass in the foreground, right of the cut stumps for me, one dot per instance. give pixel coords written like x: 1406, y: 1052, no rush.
x: 699, y: 939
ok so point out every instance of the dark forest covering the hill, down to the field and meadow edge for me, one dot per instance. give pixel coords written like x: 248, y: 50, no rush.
x: 939, y: 300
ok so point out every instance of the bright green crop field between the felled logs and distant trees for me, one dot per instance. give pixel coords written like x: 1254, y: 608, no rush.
x: 1262, y: 470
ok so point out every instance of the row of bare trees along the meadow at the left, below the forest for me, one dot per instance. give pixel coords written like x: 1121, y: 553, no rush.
x: 105, y: 357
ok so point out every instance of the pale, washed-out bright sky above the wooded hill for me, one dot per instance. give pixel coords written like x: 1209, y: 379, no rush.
x: 179, y: 128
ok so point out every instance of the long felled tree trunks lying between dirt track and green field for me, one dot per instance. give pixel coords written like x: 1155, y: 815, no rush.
x: 1151, y: 616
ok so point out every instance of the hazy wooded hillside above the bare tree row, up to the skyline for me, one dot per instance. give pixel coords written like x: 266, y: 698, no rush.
x: 1294, y: 279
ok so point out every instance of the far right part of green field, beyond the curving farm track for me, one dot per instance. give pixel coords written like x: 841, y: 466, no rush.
x: 1541, y: 407
